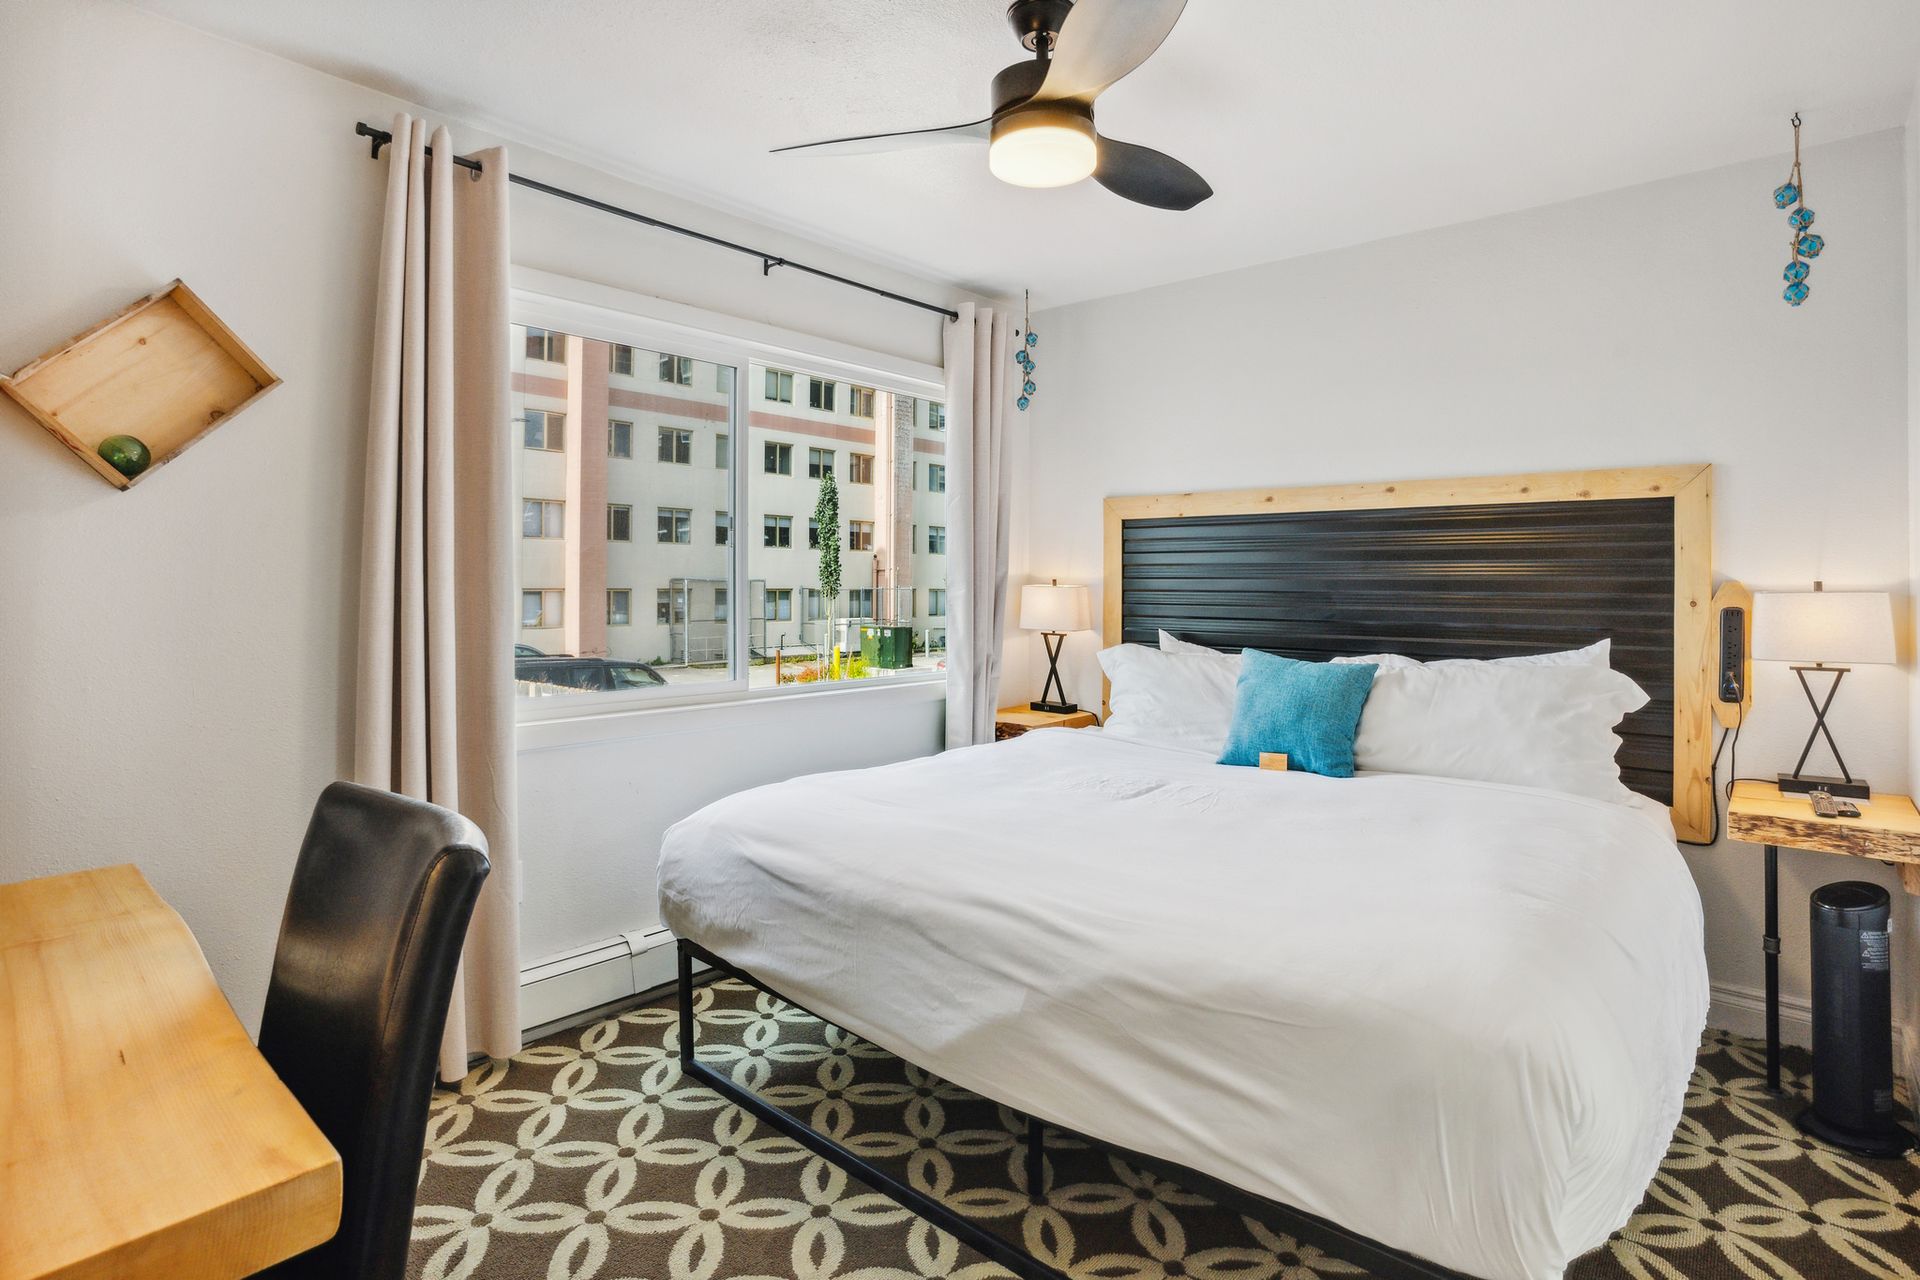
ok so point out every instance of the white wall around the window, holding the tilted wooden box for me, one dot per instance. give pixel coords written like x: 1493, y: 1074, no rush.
x: 180, y: 655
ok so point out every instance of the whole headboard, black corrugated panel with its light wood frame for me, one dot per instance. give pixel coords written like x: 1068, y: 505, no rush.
x: 1435, y: 575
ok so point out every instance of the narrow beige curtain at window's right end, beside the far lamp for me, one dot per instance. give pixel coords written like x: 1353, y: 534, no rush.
x: 978, y: 479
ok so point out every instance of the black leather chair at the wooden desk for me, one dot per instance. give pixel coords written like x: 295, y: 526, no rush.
x: 370, y: 945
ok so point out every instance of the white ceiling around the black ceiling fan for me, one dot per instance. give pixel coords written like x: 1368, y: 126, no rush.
x: 1318, y: 122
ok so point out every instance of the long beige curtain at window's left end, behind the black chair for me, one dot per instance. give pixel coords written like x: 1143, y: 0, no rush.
x: 435, y: 711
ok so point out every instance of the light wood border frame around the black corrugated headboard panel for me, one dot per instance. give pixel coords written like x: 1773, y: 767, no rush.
x: 1691, y: 490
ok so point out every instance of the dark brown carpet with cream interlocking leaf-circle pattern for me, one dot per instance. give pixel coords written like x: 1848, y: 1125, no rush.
x: 587, y: 1158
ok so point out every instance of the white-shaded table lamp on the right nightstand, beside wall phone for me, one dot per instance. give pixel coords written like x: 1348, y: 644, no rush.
x: 1823, y: 632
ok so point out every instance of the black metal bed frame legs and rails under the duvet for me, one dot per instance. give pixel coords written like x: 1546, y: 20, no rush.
x: 1380, y: 1260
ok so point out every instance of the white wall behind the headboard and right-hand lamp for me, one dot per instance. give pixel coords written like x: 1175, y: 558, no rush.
x: 1627, y: 329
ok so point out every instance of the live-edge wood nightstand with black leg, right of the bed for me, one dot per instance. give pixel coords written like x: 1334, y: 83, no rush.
x: 1888, y: 830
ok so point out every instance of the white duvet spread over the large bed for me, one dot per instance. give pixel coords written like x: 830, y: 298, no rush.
x: 1456, y: 1018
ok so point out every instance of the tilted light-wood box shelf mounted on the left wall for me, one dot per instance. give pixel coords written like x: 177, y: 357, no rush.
x: 166, y: 371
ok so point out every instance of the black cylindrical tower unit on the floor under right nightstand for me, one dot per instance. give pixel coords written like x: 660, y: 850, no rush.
x: 1854, y: 1022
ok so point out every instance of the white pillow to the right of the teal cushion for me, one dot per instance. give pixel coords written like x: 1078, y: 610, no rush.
x: 1500, y: 723
